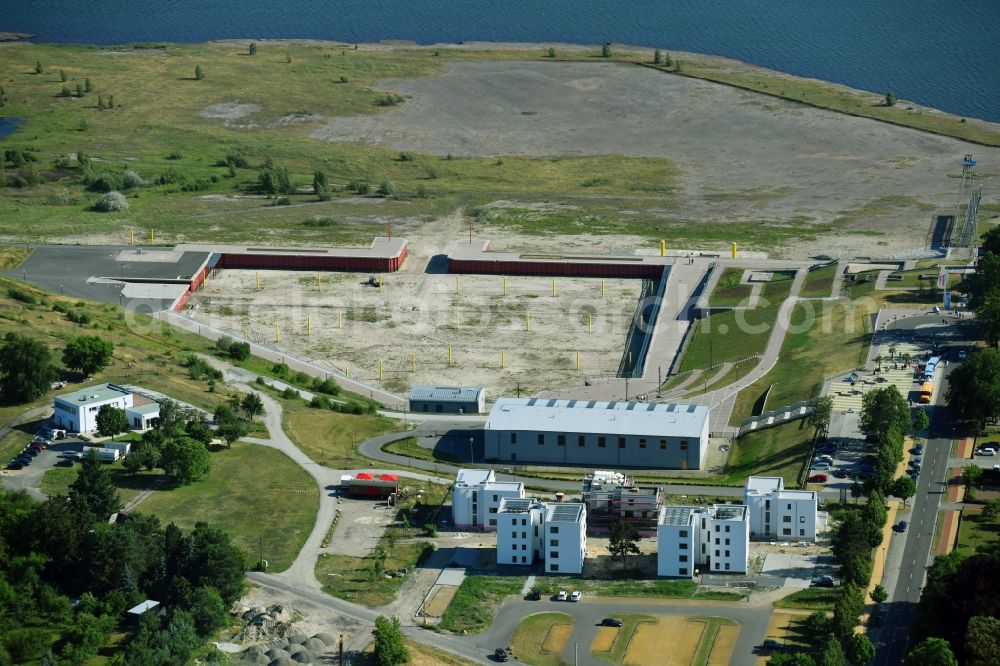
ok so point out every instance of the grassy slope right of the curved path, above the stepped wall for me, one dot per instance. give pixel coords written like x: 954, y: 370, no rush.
x: 824, y: 338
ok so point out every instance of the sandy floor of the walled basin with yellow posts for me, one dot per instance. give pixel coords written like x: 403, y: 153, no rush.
x: 415, y: 317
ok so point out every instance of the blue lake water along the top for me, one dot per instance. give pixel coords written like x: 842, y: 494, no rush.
x: 943, y: 54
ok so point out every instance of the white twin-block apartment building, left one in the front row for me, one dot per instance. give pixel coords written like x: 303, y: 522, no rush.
x: 528, y: 529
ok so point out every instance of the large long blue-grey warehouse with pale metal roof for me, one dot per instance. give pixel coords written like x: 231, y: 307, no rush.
x: 591, y: 432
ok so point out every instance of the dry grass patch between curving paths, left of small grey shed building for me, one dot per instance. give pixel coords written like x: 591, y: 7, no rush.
x: 331, y: 438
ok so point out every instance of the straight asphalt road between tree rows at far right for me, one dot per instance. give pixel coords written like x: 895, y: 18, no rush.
x: 917, y: 550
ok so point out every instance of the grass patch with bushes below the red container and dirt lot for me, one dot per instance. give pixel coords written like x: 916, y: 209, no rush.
x: 345, y: 576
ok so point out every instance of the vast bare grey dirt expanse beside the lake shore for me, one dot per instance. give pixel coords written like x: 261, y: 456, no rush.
x: 743, y: 156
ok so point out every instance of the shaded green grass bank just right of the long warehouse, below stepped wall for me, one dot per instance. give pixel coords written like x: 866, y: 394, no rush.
x: 778, y: 451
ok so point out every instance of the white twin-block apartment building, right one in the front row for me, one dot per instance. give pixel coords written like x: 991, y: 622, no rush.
x: 691, y: 539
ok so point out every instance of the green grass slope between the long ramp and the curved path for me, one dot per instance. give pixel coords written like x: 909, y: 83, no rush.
x: 734, y: 335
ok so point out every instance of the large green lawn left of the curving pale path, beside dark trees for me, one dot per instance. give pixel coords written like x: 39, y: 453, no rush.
x: 254, y: 493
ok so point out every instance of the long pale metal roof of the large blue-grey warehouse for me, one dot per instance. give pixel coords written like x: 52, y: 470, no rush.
x: 592, y: 416
